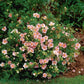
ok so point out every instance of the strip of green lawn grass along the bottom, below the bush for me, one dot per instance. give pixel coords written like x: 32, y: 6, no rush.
x: 61, y: 80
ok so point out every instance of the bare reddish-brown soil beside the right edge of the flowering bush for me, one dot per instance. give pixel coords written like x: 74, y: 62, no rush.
x: 77, y: 67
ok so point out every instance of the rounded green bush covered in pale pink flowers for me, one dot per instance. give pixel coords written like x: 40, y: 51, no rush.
x: 42, y: 49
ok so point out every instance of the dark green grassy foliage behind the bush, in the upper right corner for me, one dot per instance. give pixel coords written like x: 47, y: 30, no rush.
x: 69, y: 12
